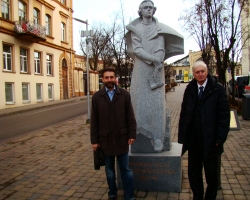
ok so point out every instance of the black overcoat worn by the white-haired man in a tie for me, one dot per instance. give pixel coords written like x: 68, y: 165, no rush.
x: 215, y: 116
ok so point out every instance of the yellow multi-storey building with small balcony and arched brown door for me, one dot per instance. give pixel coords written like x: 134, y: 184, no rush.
x: 36, y: 51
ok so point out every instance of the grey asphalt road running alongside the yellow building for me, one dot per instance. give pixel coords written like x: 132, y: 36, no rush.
x: 15, y: 125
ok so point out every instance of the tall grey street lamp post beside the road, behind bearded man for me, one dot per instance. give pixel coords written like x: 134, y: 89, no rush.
x: 87, y: 34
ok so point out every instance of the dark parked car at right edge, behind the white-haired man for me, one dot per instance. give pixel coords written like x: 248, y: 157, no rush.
x: 239, y: 84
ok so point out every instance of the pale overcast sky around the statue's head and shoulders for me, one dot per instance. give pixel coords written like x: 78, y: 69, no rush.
x: 102, y: 11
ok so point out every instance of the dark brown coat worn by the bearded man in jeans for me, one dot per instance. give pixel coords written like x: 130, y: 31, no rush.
x: 112, y: 123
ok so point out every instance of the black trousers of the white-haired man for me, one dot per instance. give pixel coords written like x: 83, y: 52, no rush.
x: 196, y: 162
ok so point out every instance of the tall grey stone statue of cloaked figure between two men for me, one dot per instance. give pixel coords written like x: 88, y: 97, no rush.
x: 149, y: 44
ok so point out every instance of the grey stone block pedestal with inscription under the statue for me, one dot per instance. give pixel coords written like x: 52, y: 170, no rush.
x: 156, y: 171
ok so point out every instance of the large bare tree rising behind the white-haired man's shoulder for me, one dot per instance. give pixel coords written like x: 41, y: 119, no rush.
x: 220, y: 23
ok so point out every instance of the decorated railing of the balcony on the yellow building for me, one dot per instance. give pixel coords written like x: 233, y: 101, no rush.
x: 29, y: 27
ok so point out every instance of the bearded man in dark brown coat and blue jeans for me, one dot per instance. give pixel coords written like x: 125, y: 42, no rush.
x: 113, y: 129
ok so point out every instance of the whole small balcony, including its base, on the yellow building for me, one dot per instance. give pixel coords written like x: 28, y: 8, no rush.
x: 29, y: 30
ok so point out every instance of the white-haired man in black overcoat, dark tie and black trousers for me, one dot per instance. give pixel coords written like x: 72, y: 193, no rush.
x: 203, y: 129
